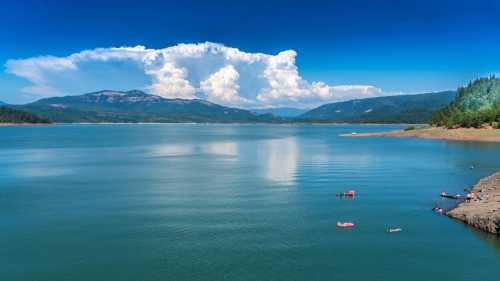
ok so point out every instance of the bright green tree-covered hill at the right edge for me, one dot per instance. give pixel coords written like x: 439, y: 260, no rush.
x: 476, y: 104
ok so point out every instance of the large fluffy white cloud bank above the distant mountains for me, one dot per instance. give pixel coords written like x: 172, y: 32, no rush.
x: 207, y: 70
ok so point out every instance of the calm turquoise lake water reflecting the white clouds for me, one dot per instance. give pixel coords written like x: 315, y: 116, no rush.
x: 235, y: 202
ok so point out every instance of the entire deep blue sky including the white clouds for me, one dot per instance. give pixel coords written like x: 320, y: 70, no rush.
x: 341, y: 49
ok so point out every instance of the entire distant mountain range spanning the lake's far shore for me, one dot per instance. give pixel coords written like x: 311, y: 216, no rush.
x: 137, y: 106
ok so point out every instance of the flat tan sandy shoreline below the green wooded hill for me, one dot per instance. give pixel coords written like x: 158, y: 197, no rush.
x: 461, y: 134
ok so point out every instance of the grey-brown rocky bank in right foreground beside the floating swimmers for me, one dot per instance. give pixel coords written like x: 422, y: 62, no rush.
x: 484, y: 211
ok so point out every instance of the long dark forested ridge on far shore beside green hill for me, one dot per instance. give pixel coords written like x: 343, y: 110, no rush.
x: 388, y: 109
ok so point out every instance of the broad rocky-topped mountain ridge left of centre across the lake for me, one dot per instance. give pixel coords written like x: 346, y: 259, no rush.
x: 137, y: 106
